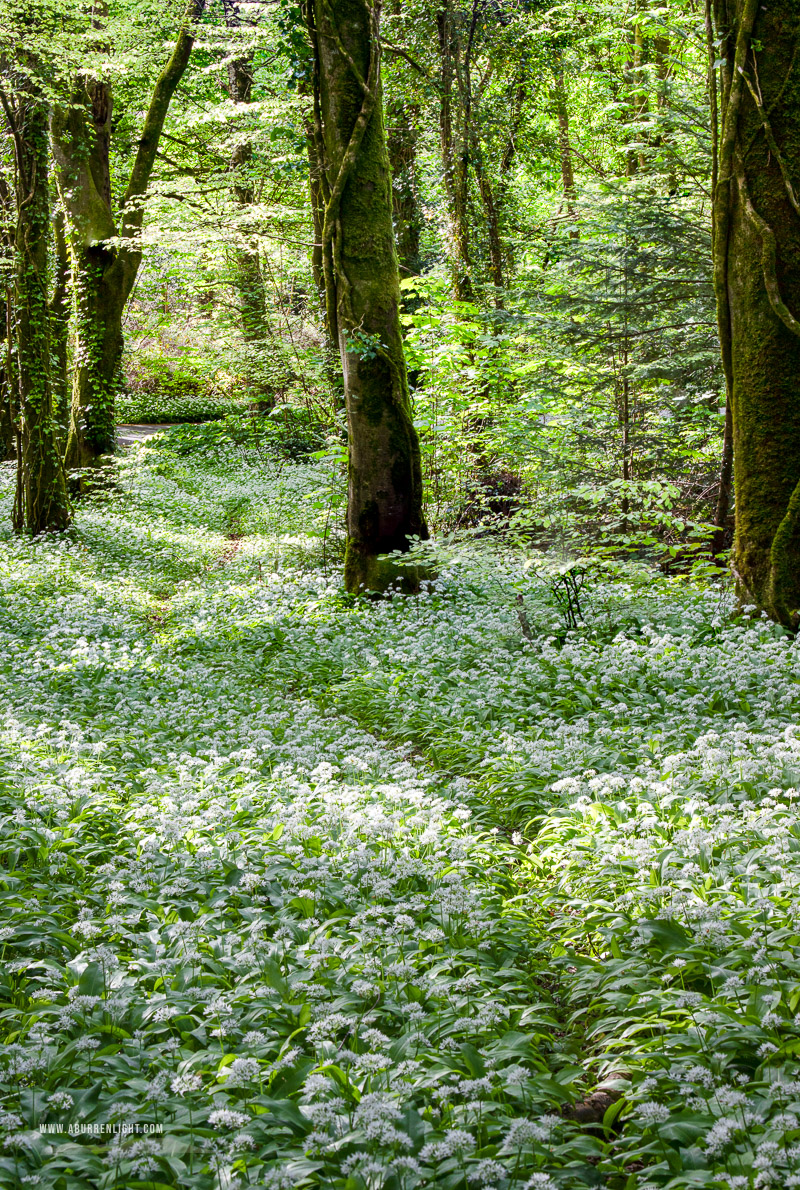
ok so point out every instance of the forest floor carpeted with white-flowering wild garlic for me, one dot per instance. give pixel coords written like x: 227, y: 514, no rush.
x: 302, y: 891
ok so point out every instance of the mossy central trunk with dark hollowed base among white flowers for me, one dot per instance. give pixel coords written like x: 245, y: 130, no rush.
x: 385, y: 491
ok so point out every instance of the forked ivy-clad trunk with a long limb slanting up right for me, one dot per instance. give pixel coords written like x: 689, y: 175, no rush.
x: 105, y: 256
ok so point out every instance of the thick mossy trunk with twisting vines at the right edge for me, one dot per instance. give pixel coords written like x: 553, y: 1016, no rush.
x: 758, y: 283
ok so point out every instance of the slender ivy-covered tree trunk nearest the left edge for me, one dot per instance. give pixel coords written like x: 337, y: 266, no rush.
x: 41, y: 503
